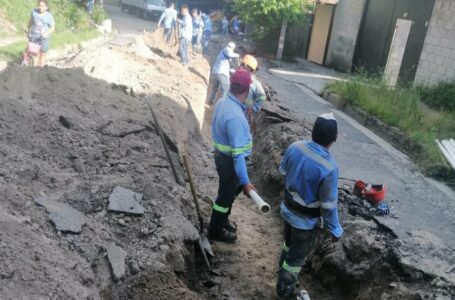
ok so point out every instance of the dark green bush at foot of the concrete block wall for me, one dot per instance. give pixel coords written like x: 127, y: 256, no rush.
x: 441, y: 96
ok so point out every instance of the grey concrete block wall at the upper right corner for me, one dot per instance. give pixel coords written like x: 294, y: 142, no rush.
x: 437, y: 61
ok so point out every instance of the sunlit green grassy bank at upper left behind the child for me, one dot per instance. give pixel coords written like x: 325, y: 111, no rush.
x: 73, y: 24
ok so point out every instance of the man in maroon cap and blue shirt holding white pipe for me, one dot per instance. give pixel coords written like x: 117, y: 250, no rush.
x: 232, y: 141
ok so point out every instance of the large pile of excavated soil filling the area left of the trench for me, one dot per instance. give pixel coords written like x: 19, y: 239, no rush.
x: 72, y: 135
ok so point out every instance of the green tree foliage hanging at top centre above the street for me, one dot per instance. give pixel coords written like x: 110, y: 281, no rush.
x: 267, y: 15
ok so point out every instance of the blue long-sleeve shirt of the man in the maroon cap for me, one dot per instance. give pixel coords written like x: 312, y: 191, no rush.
x: 231, y: 133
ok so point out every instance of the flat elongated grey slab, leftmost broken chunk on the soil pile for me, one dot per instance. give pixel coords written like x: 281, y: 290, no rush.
x: 64, y: 217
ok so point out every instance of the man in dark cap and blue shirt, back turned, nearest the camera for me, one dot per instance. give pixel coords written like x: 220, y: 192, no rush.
x: 311, y: 199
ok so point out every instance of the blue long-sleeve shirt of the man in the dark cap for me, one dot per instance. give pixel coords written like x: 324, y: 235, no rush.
x: 311, y: 178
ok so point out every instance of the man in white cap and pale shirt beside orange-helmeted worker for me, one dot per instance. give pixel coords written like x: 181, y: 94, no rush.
x: 221, y: 69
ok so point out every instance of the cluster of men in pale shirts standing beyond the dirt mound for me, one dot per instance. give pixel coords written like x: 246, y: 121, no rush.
x: 195, y: 29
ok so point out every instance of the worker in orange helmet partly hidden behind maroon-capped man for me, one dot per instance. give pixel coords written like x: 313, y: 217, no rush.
x: 256, y: 96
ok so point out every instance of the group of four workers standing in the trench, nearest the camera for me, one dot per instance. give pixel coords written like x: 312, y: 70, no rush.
x: 309, y: 207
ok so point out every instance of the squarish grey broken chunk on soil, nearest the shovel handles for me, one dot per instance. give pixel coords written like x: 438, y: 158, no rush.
x: 125, y: 200
